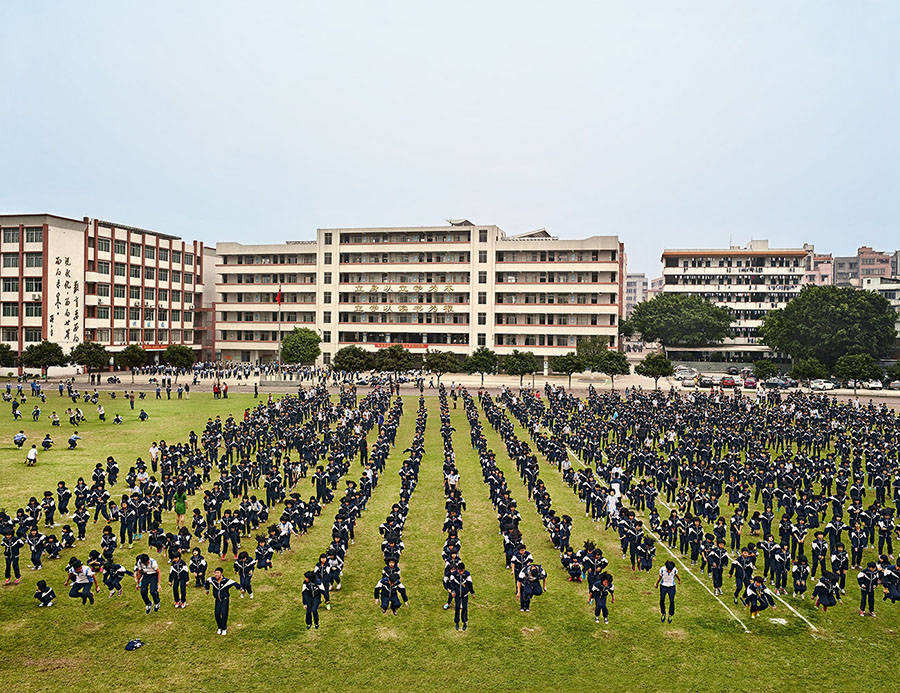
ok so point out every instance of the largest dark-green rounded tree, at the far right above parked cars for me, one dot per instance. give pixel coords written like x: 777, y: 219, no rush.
x: 827, y: 322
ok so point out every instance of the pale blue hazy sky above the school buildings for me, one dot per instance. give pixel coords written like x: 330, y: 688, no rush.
x: 669, y: 124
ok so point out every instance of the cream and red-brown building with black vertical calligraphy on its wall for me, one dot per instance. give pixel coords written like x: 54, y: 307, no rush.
x: 69, y: 280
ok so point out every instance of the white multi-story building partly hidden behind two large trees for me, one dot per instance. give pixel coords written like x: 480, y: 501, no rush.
x: 750, y: 281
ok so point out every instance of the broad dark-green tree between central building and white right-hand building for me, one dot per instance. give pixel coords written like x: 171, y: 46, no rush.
x: 680, y: 320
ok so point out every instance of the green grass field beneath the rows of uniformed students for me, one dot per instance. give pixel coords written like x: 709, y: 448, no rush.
x: 556, y: 646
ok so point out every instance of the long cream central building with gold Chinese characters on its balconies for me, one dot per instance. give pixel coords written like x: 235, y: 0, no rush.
x: 451, y: 288
